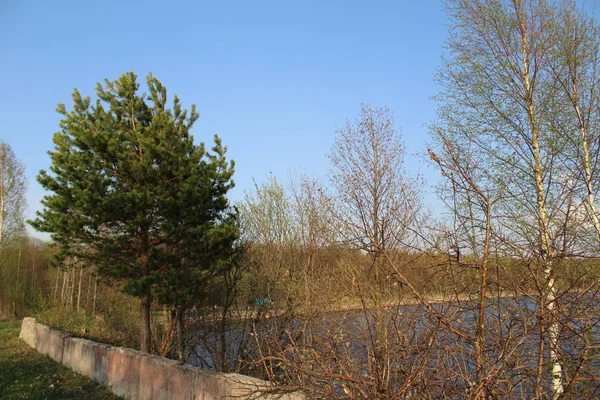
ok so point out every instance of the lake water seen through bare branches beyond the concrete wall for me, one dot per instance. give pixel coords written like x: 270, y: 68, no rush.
x: 436, y: 345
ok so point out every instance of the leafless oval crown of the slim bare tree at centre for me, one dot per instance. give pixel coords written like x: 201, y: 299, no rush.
x: 374, y: 197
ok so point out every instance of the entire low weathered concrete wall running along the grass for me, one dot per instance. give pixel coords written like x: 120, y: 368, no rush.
x: 135, y: 375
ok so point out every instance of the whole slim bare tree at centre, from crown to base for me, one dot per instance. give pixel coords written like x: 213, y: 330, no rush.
x: 375, y: 205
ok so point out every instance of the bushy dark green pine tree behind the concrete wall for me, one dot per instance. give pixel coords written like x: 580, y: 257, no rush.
x: 132, y: 193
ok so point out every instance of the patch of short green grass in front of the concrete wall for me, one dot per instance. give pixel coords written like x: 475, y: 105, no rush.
x: 27, y: 374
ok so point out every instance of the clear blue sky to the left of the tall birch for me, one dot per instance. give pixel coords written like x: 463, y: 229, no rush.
x: 273, y: 78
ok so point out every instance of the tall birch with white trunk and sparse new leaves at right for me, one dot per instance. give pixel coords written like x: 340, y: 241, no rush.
x: 517, y: 74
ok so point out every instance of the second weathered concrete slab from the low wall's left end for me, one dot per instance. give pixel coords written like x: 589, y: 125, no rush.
x: 88, y: 358
